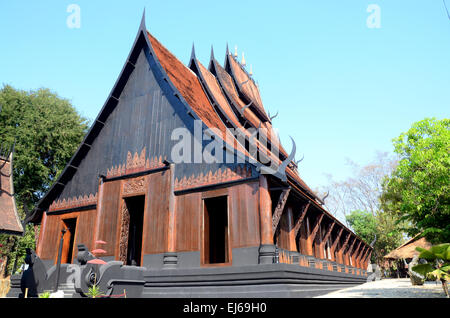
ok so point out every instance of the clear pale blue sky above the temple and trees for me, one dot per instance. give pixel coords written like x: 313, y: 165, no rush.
x: 342, y: 89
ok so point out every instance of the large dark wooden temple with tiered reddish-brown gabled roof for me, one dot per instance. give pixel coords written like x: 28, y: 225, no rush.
x: 217, y: 228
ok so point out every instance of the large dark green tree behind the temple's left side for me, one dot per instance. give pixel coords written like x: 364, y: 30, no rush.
x: 46, y: 130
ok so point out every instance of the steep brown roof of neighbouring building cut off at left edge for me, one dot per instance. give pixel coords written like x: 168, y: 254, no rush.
x: 9, y: 218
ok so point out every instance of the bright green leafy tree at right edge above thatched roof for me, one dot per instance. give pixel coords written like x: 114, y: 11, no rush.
x: 418, y: 190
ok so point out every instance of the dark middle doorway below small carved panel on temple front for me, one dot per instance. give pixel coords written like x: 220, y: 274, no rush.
x: 135, y: 206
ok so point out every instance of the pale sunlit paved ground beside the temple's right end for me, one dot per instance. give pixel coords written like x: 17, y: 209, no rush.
x: 390, y: 288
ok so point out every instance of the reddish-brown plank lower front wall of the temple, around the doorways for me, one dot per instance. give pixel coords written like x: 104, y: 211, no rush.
x: 242, y: 209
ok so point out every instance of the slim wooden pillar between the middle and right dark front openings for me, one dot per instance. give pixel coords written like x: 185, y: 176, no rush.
x: 170, y: 259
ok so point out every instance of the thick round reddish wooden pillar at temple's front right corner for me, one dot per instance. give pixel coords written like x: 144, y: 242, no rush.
x: 267, y: 248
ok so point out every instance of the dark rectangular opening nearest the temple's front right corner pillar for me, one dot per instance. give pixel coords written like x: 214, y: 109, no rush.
x: 216, y: 230
